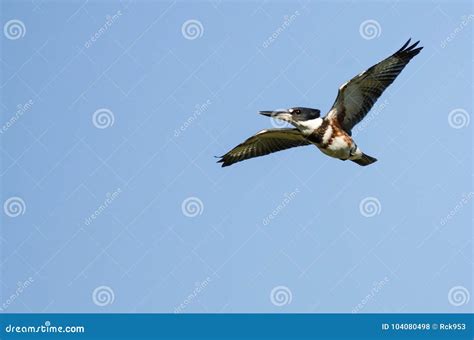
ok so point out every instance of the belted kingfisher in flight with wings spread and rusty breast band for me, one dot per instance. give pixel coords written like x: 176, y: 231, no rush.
x: 332, y: 133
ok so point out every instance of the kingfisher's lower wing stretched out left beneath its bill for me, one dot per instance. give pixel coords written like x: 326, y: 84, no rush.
x: 263, y: 143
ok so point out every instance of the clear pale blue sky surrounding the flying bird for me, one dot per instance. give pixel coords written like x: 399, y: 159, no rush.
x: 125, y: 127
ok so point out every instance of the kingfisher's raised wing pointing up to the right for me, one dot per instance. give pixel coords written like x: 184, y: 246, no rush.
x: 356, y: 97
